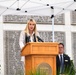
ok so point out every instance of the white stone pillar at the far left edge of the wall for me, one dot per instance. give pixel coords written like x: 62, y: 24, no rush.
x: 1, y: 48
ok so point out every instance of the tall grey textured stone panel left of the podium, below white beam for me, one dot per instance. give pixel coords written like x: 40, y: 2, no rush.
x: 13, y: 64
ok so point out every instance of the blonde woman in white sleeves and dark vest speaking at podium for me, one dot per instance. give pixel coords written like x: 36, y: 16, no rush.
x: 29, y: 34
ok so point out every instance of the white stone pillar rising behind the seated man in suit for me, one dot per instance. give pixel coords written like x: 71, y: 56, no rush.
x: 68, y: 34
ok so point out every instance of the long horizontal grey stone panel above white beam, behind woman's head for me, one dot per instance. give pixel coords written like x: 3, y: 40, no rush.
x: 59, y: 19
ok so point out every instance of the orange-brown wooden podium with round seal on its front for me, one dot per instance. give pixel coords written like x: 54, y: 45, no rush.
x: 40, y: 55
